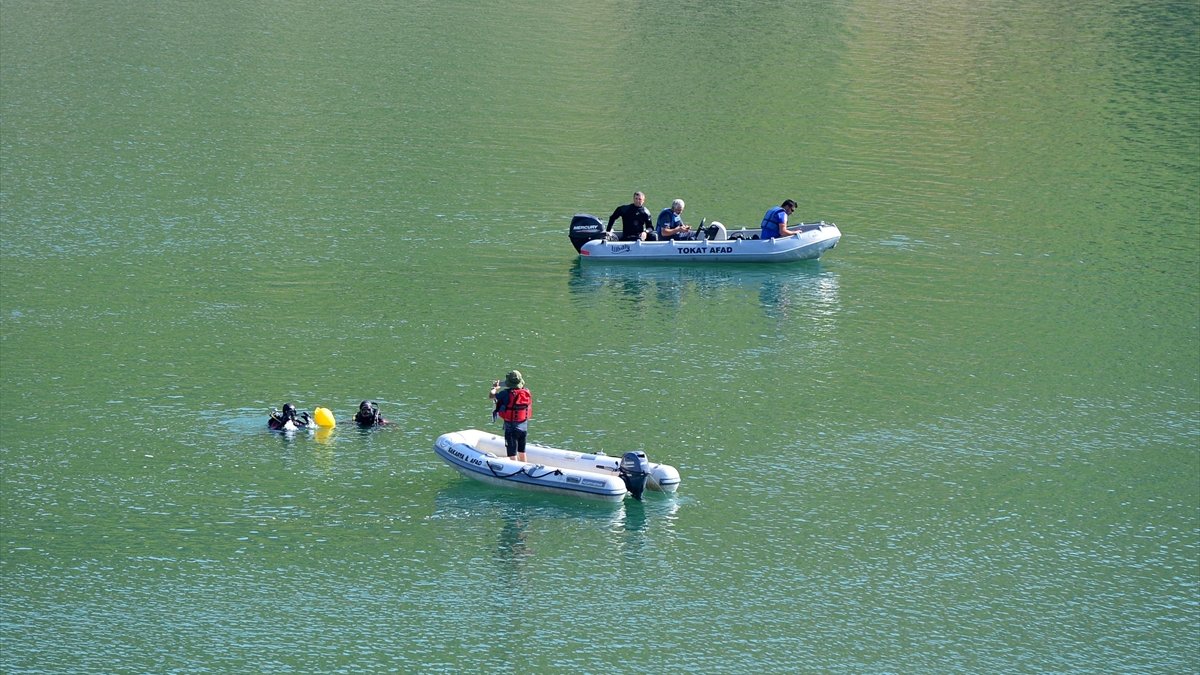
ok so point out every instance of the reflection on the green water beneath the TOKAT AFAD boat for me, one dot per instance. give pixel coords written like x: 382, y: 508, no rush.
x: 782, y: 290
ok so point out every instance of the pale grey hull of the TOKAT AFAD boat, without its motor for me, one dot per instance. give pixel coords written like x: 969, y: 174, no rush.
x: 741, y: 247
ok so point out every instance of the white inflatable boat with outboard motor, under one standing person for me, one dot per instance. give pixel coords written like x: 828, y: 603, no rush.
x: 482, y: 456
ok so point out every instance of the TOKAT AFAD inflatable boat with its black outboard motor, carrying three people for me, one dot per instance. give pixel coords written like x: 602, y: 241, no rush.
x: 713, y: 244
